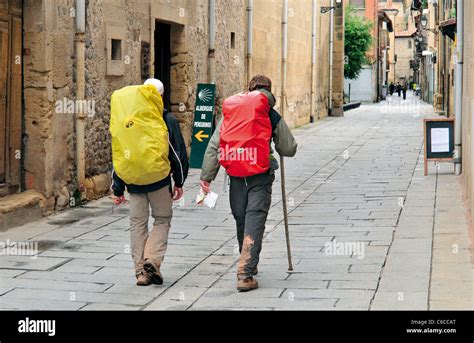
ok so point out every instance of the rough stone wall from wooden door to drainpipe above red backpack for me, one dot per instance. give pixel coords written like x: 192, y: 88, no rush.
x: 49, y: 30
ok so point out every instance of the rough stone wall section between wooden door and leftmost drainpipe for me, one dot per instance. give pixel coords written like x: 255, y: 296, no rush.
x: 49, y: 142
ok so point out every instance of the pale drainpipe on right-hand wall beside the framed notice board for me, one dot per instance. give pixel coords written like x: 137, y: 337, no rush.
x: 458, y: 87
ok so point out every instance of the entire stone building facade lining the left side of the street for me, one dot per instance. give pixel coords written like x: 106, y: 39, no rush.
x: 126, y: 41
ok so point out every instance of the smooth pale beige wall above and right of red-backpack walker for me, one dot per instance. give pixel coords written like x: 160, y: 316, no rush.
x: 267, y: 56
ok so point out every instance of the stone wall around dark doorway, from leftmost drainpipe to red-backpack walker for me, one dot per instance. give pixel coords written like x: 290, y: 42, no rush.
x: 189, y: 47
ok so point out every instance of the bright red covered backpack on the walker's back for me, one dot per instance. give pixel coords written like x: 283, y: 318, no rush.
x: 245, y: 134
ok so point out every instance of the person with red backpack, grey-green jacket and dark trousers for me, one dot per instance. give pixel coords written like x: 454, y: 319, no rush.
x: 241, y: 144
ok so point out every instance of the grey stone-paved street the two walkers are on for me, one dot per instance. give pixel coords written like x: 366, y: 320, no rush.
x: 368, y: 231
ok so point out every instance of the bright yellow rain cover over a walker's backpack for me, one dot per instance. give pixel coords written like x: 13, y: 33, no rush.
x: 139, y: 135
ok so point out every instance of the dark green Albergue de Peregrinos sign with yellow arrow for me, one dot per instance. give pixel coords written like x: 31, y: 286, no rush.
x: 203, y: 120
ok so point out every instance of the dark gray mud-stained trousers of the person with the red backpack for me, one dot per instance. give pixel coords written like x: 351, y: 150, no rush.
x: 250, y: 200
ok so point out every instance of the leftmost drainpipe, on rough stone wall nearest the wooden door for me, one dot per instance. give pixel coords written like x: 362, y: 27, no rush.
x: 80, y: 91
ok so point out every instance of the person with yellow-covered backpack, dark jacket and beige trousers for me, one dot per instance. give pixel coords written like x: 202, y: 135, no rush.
x: 148, y: 151
